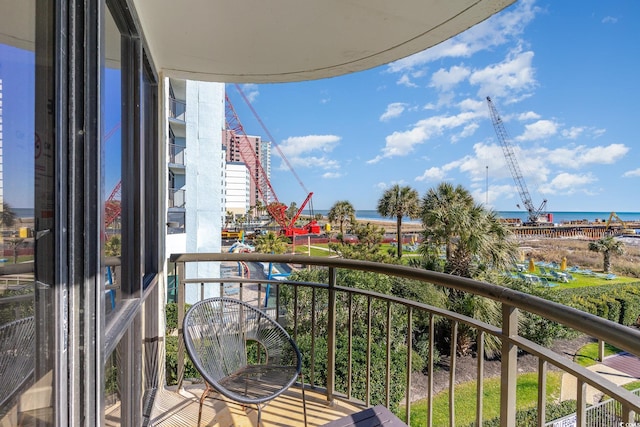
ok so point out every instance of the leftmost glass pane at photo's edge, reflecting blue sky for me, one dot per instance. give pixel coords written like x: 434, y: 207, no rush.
x: 20, y: 403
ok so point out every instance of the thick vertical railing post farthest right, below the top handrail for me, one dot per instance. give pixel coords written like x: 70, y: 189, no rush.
x: 509, y: 368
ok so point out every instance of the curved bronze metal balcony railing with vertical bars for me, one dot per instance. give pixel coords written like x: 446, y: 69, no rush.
x: 332, y: 317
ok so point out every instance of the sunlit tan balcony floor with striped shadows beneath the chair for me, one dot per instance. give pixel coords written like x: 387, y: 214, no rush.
x: 173, y: 409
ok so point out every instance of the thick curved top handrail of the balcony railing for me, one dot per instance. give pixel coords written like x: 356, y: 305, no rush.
x: 618, y: 335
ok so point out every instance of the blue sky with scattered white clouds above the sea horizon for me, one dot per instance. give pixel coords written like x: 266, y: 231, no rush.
x: 564, y: 77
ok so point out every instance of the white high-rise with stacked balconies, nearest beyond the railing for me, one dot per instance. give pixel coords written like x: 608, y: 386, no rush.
x: 196, y: 171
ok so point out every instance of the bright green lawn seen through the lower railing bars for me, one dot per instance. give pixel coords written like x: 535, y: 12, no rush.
x: 465, y: 400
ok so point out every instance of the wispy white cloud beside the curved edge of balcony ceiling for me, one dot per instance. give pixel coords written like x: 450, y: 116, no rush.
x: 495, y: 31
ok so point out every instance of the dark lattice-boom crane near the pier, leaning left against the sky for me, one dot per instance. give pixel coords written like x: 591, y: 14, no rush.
x: 535, y: 215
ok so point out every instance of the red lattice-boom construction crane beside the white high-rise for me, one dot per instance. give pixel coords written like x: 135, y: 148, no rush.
x: 276, y: 209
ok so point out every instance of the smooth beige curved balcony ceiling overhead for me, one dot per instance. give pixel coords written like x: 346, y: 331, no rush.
x: 291, y: 40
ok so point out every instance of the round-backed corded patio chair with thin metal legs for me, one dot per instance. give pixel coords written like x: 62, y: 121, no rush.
x: 216, y: 334
